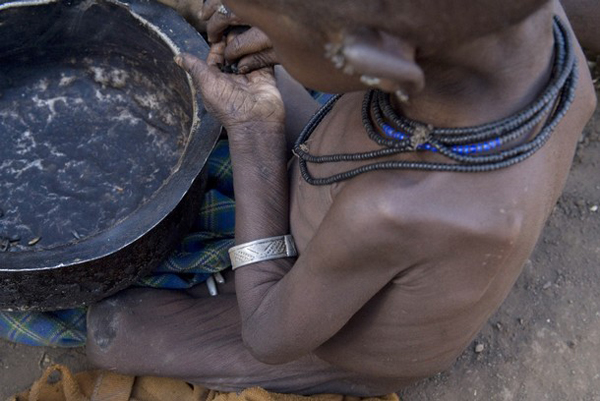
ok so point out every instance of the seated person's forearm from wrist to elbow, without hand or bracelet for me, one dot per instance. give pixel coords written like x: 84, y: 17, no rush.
x: 261, y: 192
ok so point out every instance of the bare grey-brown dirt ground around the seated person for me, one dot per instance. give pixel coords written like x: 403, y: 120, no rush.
x: 543, y: 343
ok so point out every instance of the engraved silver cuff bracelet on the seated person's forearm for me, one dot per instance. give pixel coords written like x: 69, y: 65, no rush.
x: 263, y: 249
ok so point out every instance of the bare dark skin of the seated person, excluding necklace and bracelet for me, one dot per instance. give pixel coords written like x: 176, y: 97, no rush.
x: 398, y: 270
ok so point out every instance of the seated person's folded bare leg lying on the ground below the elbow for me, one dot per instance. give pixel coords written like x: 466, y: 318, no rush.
x: 172, y: 334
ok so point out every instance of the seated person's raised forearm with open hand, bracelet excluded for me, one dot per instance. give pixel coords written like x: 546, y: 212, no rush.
x: 251, y: 109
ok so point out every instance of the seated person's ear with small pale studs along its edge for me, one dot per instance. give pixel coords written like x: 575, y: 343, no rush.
x: 383, y: 61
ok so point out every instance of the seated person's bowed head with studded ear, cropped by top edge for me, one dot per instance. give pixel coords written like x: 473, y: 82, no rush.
x: 373, y: 38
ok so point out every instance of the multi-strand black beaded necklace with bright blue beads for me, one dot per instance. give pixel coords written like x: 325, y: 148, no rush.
x: 468, y: 148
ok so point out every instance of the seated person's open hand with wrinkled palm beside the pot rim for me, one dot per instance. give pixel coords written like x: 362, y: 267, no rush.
x: 247, y: 103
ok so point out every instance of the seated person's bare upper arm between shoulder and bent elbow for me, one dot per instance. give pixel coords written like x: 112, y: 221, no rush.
x: 349, y: 260
